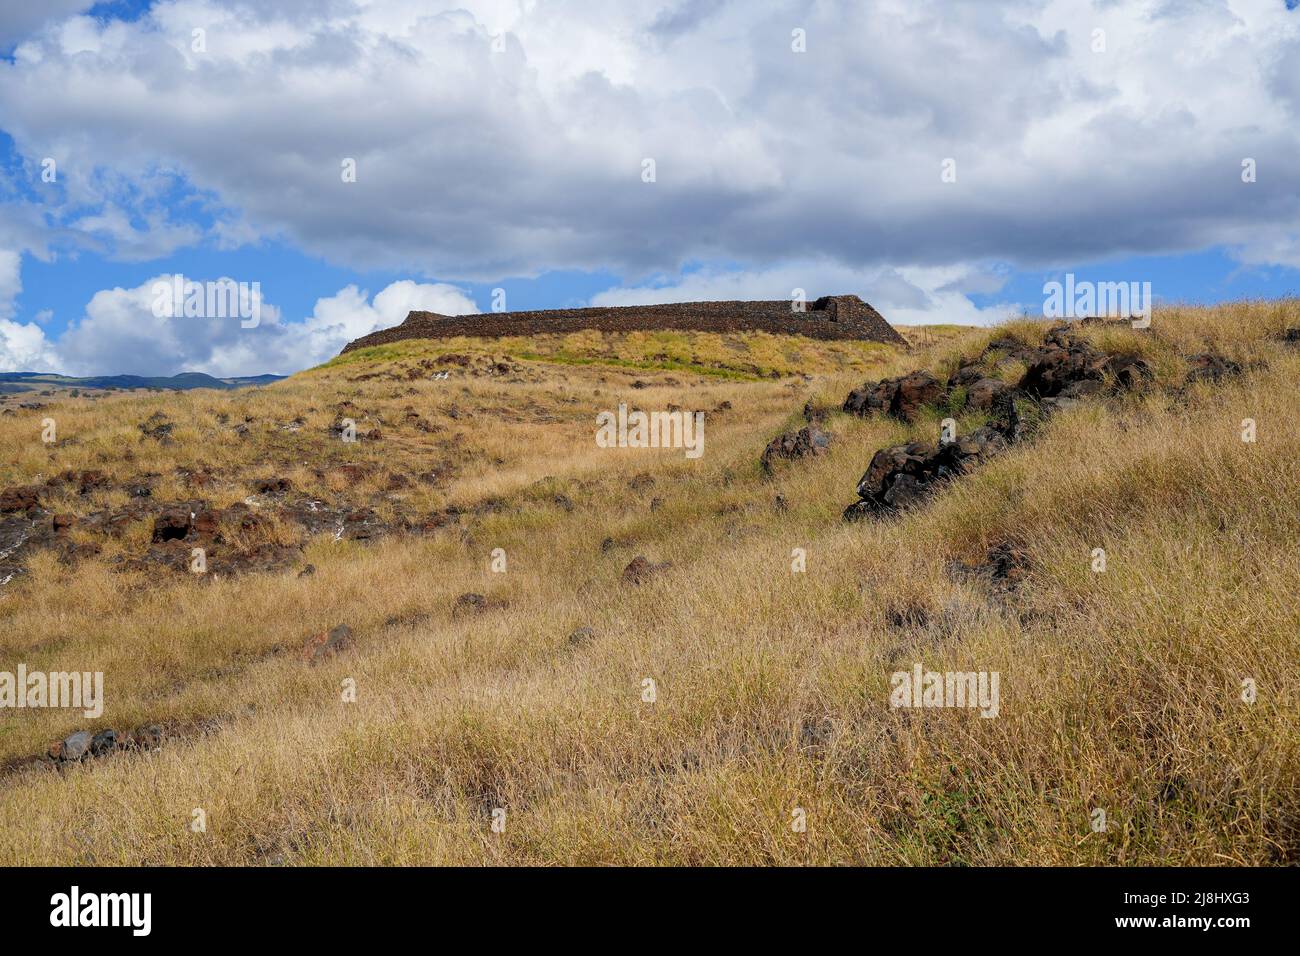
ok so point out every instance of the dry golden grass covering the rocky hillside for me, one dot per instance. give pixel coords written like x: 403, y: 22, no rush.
x: 1119, y: 691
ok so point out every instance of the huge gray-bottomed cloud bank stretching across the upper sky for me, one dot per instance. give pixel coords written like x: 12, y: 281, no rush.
x: 478, y: 165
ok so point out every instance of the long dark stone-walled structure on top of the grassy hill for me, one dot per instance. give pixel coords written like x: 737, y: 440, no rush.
x: 831, y: 318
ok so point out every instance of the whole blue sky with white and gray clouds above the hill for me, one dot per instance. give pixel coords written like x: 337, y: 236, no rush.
x: 505, y: 149
